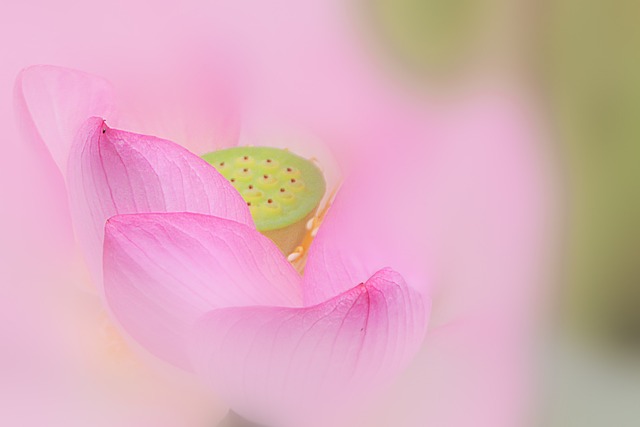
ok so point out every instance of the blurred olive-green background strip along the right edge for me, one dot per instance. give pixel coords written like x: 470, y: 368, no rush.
x: 592, y: 64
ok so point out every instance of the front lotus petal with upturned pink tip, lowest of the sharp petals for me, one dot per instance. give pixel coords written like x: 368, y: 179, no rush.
x: 278, y: 364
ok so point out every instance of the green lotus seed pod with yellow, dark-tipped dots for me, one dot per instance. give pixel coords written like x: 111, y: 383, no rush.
x: 282, y: 190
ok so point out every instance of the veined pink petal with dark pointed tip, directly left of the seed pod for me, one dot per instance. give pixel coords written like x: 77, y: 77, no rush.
x: 114, y: 172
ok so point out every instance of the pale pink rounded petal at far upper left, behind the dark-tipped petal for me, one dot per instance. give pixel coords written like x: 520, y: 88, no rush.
x: 53, y: 102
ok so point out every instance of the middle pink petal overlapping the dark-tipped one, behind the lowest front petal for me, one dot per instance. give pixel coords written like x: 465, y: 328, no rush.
x: 163, y: 271
